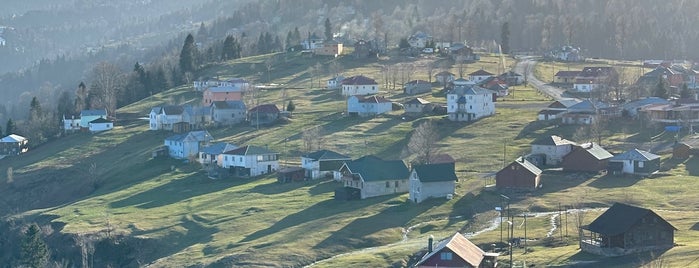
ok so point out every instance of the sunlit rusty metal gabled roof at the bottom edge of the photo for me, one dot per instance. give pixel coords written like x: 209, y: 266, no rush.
x: 462, y: 247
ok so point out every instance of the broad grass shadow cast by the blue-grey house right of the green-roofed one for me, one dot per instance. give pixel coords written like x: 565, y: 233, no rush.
x: 357, y: 234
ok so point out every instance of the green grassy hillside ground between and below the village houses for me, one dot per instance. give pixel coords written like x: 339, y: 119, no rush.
x: 107, y: 184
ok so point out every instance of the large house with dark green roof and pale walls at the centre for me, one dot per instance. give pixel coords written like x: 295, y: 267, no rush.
x: 371, y: 176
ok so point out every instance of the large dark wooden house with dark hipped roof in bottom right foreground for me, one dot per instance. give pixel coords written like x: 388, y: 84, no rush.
x: 625, y: 229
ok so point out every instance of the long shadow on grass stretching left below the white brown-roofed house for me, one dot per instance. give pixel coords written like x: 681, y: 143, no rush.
x: 174, y: 191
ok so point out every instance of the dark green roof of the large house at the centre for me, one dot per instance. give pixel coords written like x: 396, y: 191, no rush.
x: 373, y: 168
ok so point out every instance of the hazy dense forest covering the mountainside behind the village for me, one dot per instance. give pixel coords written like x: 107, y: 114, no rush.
x: 54, y: 47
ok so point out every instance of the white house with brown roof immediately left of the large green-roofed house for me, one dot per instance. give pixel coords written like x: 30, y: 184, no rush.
x: 323, y: 163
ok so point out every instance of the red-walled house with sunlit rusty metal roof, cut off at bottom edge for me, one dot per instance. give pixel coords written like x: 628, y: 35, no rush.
x: 456, y: 251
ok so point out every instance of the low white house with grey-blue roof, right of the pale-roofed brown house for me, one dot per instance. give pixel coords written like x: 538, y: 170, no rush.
x: 636, y: 162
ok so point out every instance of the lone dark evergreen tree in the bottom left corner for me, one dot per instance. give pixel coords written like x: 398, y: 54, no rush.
x: 33, y: 251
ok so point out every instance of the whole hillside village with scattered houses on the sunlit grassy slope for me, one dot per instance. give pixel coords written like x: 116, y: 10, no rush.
x: 354, y: 142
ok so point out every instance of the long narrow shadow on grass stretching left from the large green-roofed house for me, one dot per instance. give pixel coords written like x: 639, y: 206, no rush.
x: 317, y: 211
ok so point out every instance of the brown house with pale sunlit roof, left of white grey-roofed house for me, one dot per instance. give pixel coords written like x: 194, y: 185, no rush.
x: 586, y: 157
